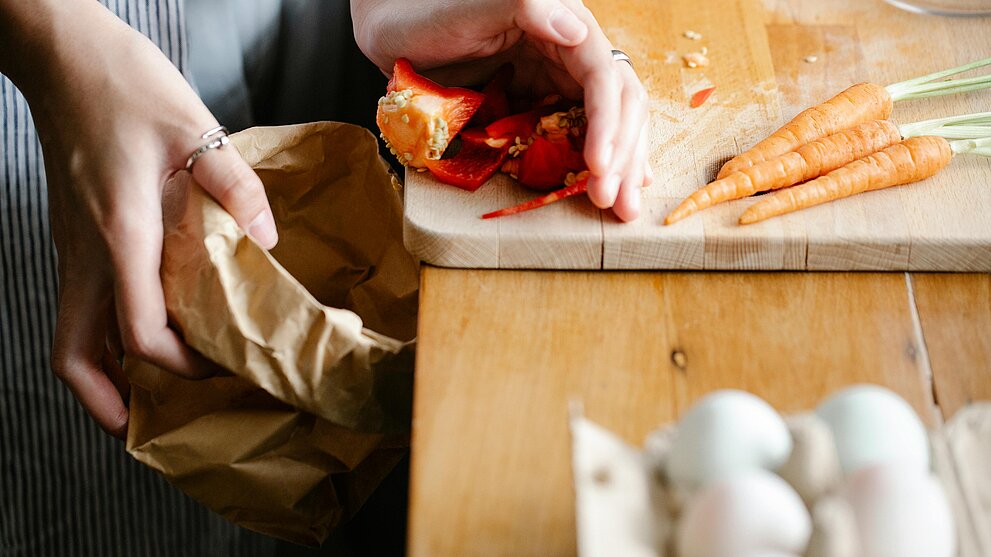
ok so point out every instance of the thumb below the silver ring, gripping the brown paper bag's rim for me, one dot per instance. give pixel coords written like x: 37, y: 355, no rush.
x: 224, y: 175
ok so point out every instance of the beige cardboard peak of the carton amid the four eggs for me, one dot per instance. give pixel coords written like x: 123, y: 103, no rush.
x: 813, y: 467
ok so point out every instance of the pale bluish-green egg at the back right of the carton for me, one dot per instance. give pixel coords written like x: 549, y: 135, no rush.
x: 872, y: 425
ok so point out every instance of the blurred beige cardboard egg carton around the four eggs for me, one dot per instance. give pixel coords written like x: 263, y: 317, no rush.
x: 626, y: 507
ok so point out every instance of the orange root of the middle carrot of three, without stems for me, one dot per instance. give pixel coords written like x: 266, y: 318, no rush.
x: 807, y: 162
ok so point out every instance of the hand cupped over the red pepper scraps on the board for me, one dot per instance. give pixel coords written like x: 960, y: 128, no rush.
x: 555, y: 45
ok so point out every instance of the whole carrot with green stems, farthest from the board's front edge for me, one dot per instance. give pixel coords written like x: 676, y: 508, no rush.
x: 858, y: 104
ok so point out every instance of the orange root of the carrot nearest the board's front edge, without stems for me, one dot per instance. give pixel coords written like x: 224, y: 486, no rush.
x: 912, y: 160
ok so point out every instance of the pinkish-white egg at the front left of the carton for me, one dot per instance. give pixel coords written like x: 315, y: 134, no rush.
x: 745, y: 515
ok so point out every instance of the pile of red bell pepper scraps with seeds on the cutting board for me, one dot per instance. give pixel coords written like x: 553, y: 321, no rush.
x: 464, y: 137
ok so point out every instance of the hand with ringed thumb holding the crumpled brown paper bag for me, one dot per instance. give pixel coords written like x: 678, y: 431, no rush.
x: 116, y: 119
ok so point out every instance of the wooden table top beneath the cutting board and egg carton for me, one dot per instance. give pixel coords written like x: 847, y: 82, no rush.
x: 501, y: 353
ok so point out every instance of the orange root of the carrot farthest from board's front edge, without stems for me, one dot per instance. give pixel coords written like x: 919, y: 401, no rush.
x: 860, y: 103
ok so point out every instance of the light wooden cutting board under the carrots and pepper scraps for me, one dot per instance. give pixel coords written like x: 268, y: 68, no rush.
x: 762, y: 70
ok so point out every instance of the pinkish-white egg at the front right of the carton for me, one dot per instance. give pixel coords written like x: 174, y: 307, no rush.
x: 900, y: 511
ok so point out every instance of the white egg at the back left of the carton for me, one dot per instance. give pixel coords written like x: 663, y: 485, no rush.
x: 724, y: 434
